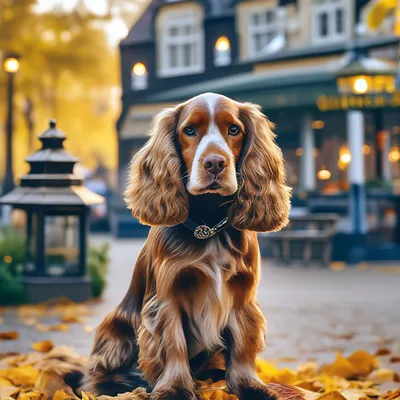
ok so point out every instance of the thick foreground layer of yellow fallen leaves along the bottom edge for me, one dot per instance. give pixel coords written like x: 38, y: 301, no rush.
x: 38, y: 376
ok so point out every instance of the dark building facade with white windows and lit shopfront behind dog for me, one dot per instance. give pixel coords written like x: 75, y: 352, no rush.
x: 286, y: 56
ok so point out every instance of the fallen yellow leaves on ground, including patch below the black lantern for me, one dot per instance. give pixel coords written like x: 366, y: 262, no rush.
x: 38, y: 374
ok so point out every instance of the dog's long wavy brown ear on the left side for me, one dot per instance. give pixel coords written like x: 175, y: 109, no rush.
x: 155, y: 192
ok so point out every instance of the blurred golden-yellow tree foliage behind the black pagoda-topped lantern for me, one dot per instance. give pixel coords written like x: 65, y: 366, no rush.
x: 68, y: 71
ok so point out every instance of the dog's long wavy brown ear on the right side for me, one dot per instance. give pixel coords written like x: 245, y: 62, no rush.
x: 263, y: 199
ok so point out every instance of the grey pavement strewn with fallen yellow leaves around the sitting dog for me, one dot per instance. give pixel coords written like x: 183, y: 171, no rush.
x: 312, y: 314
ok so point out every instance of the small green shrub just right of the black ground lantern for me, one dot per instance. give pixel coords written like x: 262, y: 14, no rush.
x: 98, y: 262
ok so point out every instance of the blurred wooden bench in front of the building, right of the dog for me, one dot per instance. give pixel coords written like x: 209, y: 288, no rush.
x: 307, y: 238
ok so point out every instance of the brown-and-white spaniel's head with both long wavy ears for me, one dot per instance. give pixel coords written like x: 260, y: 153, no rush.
x: 210, y: 144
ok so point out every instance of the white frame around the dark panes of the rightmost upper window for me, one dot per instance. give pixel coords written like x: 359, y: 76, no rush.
x: 330, y: 7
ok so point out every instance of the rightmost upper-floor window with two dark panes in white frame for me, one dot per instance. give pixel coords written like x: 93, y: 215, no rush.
x: 328, y: 22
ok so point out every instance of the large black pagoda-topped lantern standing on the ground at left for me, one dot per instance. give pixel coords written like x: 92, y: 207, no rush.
x: 57, y: 207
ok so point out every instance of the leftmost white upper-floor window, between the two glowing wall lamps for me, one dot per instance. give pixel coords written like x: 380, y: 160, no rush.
x: 180, y: 42
